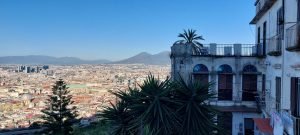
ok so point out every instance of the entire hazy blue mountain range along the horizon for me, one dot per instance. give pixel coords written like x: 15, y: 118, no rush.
x: 141, y: 58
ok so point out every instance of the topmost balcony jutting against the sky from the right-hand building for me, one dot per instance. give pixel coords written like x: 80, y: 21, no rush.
x: 262, y: 6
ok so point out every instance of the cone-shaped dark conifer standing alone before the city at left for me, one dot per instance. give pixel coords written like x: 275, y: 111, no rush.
x: 59, y: 116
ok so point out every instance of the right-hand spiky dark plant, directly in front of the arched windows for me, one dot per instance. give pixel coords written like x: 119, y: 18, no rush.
x: 197, y: 116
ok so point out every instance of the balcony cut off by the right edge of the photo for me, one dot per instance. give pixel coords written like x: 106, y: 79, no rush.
x: 293, y: 38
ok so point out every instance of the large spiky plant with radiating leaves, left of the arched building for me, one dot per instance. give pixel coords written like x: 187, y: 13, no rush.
x: 151, y: 105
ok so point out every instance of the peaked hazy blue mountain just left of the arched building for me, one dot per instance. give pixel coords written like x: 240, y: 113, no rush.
x: 148, y: 59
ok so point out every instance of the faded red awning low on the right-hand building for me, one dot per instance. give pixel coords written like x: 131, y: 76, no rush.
x: 263, y: 125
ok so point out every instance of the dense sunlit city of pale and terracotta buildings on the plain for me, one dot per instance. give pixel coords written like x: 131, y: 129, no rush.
x: 23, y: 89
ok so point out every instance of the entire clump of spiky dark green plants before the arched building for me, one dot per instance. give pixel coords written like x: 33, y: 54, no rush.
x: 163, y: 108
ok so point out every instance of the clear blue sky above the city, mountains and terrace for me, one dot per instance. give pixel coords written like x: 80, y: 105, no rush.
x: 116, y: 29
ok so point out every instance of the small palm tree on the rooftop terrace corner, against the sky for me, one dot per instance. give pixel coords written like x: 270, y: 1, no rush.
x: 191, y: 38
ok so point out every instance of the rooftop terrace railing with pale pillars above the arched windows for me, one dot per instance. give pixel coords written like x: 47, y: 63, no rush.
x: 229, y: 50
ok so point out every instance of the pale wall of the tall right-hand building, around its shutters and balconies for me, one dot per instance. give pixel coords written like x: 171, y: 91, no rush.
x: 280, y: 66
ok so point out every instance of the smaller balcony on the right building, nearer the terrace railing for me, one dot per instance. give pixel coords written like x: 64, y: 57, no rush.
x: 275, y: 45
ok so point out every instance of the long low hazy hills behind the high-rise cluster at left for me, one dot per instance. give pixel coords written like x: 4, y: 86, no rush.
x: 39, y: 59
